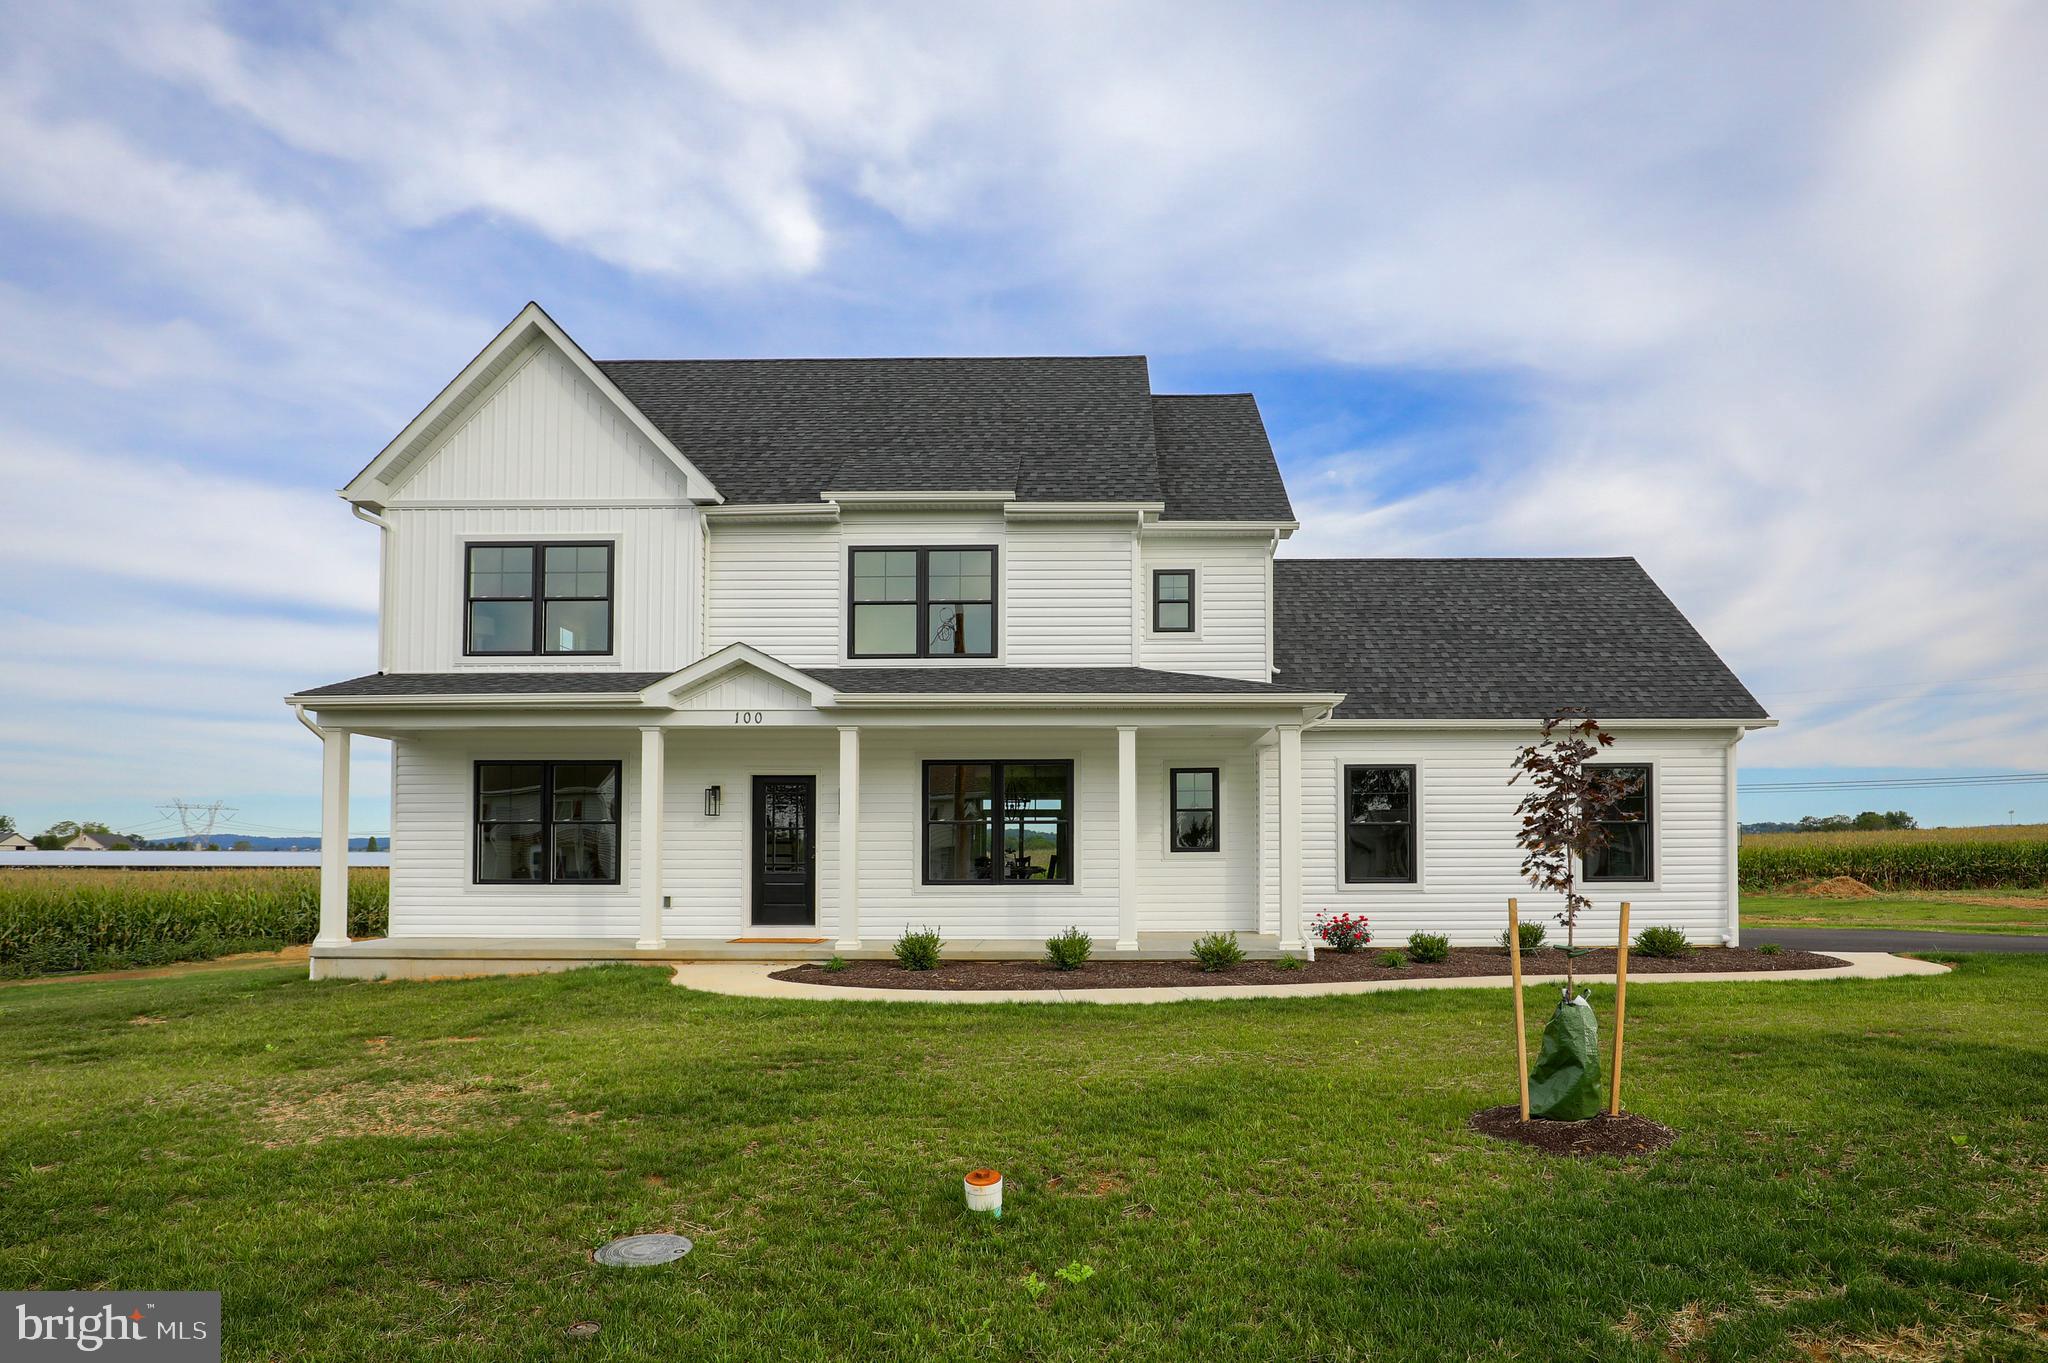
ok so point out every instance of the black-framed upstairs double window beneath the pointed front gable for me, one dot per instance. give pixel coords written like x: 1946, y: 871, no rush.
x: 540, y: 599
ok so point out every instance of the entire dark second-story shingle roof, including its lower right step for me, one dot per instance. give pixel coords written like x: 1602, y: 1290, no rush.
x: 1064, y: 429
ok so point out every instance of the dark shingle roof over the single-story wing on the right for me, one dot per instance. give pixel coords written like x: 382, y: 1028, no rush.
x: 1496, y: 640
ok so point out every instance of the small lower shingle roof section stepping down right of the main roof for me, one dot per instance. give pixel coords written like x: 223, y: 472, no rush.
x: 1215, y: 461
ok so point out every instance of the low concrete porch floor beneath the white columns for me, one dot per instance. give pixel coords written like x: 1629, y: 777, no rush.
x: 417, y: 959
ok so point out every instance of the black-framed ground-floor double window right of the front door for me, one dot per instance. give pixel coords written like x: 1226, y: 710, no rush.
x: 998, y: 822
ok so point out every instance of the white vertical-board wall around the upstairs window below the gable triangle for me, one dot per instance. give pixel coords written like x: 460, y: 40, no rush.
x: 654, y: 584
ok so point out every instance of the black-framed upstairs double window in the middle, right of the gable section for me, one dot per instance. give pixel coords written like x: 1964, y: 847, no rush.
x: 923, y: 603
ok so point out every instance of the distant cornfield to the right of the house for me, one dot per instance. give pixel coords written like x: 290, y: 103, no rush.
x: 1902, y: 861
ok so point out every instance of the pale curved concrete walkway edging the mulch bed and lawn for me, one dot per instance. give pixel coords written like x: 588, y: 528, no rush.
x: 751, y: 981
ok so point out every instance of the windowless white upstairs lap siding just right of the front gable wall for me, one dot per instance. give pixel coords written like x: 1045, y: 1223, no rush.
x: 775, y: 588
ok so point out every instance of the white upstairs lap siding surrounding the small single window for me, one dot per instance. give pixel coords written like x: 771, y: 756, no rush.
x: 1230, y: 637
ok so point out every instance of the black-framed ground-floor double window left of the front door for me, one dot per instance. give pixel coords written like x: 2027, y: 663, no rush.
x: 548, y: 824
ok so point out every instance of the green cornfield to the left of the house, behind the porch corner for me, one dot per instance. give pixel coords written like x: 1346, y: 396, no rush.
x: 56, y: 920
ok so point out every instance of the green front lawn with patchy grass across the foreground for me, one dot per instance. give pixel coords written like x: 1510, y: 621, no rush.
x: 419, y: 1172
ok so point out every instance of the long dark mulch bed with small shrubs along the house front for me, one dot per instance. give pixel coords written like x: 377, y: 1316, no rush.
x: 1326, y: 969
